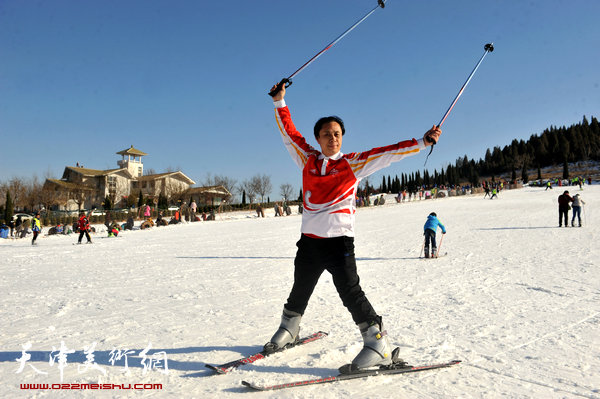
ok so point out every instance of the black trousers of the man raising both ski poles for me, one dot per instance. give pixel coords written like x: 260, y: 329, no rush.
x: 336, y: 255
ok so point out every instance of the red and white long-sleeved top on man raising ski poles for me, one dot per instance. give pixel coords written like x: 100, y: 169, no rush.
x: 329, y: 184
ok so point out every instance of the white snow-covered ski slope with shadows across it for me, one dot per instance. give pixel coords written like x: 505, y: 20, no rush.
x: 517, y: 299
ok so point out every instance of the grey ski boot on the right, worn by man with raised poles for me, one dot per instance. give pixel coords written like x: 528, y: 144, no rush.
x: 376, y: 351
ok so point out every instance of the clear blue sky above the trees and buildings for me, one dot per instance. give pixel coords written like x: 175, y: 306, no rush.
x: 186, y: 81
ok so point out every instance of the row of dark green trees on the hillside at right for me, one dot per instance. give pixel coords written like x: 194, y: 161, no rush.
x: 554, y: 146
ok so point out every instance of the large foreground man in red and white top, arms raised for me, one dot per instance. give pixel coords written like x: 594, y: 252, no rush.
x: 329, y: 181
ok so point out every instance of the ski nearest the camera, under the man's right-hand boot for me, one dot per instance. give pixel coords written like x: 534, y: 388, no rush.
x: 403, y: 369
